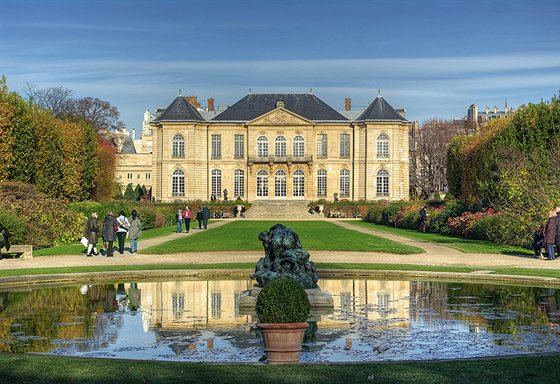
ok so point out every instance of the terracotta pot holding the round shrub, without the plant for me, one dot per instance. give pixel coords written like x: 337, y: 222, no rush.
x: 282, y: 342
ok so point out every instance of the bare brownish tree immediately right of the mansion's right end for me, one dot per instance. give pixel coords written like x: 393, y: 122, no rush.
x: 428, y: 163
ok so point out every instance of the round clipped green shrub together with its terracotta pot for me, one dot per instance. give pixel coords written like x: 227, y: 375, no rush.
x: 283, y: 309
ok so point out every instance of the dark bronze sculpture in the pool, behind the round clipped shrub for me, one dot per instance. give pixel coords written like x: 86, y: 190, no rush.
x: 284, y: 256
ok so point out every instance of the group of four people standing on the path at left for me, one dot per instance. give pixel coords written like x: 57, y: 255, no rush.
x: 112, y: 228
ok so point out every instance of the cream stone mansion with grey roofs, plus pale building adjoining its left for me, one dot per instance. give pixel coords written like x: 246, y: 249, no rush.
x: 270, y: 146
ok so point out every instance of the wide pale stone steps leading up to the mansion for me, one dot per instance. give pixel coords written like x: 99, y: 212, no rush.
x: 279, y: 209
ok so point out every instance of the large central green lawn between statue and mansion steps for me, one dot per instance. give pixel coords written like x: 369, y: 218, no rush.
x: 314, y: 235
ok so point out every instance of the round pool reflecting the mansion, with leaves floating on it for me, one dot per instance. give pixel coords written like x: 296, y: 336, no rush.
x: 199, y: 321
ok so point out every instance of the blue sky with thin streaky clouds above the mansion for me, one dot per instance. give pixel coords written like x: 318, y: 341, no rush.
x: 433, y: 58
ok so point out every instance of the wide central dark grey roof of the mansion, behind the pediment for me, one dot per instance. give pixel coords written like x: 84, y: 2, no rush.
x: 254, y: 105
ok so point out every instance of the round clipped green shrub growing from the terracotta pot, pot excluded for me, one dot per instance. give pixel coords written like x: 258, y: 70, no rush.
x: 283, y: 300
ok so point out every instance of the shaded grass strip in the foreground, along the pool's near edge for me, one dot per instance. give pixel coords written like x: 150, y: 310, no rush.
x: 21, y: 368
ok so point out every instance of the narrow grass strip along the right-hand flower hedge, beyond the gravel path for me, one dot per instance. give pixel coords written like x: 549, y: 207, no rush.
x: 459, y: 243
